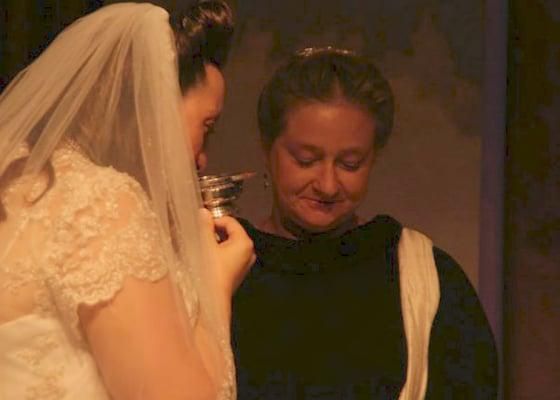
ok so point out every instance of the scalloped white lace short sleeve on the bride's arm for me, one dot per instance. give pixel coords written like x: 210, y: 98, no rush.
x: 105, y: 233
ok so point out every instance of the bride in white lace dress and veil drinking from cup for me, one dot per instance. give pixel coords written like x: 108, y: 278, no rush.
x: 112, y: 284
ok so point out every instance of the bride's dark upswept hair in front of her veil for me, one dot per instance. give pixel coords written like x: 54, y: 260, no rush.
x: 203, y: 33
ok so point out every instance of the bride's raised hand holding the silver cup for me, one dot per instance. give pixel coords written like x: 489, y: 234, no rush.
x: 233, y: 256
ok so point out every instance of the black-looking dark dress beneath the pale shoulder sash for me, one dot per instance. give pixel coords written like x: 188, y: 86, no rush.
x: 320, y: 318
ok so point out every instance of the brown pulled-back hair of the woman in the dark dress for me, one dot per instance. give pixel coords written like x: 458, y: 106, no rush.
x: 325, y: 74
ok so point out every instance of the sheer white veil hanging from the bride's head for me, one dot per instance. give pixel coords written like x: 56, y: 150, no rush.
x: 110, y: 82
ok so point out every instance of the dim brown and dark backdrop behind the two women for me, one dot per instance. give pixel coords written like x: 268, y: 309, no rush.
x: 471, y: 164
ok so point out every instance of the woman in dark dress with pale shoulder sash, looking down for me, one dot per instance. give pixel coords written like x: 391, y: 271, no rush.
x: 337, y: 307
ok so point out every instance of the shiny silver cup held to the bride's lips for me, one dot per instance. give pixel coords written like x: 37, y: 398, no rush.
x: 219, y: 192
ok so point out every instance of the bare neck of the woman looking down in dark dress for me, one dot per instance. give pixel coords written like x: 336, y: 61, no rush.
x: 279, y: 225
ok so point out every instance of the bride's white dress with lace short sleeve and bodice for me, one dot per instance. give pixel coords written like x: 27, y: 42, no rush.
x: 74, y: 246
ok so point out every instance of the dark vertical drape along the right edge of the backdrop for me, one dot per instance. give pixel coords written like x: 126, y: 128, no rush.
x: 532, y: 224
